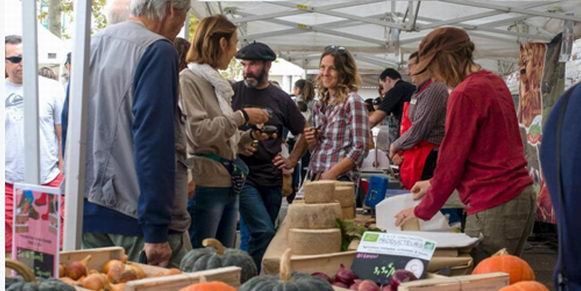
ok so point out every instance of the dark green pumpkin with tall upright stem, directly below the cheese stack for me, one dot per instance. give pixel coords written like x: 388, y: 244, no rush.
x: 286, y: 280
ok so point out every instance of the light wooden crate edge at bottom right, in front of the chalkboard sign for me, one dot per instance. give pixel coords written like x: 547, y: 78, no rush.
x: 484, y: 282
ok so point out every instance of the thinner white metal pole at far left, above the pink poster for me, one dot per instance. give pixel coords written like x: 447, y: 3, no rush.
x: 30, y: 83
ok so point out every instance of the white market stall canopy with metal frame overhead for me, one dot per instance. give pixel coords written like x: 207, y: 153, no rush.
x: 382, y: 33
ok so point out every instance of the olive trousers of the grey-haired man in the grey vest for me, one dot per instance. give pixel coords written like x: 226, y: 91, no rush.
x: 180, y: 244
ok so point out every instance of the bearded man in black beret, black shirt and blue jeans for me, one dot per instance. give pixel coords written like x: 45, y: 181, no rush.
x: 261, y: 197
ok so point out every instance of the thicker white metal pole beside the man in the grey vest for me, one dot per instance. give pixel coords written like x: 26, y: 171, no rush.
x: 77, y: 129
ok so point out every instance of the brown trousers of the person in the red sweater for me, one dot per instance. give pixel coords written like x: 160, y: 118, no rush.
x: 505, y: 226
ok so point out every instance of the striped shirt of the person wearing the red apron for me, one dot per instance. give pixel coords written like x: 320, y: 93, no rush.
x: 427, y: 112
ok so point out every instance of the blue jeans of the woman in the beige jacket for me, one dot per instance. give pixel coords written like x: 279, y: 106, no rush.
x: 214, y: 211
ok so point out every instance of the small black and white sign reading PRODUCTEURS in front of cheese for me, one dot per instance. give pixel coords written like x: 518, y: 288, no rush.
x: 379, y: 255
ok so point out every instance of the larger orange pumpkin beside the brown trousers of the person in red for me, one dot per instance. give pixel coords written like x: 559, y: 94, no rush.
x: 517, y: 268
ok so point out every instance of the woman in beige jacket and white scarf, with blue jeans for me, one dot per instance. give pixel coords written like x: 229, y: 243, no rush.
x: 212, y: 132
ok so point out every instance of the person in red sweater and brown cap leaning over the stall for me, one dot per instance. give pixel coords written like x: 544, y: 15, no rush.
x: 481, y: 154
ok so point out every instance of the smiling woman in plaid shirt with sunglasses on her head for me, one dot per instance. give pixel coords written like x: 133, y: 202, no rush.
x: 339, y: 130
